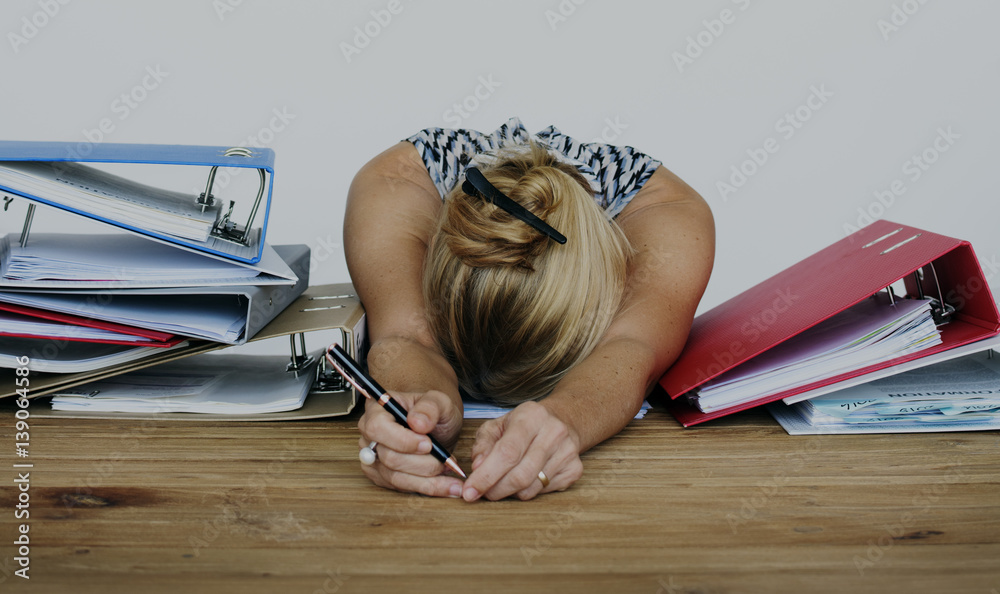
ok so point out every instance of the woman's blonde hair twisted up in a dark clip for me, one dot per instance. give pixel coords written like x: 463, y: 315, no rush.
x: 512, y: 310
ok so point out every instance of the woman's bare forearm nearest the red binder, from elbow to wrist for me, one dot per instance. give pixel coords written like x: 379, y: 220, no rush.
x: 602, y: 394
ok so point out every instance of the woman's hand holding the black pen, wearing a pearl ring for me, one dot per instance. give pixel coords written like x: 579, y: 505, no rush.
x: 404, y: 462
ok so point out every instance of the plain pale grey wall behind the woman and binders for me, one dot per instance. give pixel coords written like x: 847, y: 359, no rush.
x: 847, y: 100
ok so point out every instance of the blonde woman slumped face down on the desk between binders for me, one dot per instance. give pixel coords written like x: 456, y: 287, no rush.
x: 463, y: 296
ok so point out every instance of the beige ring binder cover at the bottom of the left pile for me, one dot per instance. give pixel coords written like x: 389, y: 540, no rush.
x: 324, y: 307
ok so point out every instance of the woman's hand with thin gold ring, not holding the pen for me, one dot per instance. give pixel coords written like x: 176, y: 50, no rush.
x: 511, y: 451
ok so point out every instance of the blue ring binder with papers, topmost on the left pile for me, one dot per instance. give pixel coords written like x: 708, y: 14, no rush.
x: 63, y: 166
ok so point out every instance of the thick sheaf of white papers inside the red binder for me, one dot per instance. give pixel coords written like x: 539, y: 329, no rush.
x: 870, y: 332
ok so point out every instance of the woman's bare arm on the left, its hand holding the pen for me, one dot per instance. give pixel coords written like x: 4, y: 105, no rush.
x: 392, y: 211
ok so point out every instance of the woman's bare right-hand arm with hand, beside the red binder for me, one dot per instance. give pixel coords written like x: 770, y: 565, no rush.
x: 672, y: 231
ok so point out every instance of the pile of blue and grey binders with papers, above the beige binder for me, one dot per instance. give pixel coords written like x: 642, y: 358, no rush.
x: 173, y: 271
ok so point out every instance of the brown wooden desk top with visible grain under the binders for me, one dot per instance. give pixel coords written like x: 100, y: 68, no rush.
x: 733, y: 506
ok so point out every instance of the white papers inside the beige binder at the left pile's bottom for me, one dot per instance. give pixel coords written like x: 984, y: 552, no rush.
x: 218, y: 384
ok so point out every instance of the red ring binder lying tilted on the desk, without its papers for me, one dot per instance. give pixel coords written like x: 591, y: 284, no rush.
x: 825, y: 284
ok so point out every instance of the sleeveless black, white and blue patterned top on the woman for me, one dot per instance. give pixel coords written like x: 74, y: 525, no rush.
x: 616, y: 173
